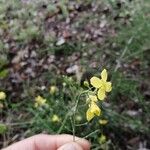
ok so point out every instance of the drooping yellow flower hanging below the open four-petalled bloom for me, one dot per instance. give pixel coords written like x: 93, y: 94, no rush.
x: 92, y: 111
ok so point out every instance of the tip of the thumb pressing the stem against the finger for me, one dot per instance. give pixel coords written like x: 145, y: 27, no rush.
x: 70, y: 146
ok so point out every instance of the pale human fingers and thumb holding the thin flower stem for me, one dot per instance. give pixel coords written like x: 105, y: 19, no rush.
x: 50, y: 142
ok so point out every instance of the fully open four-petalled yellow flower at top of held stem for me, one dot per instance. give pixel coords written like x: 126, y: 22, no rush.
x: 101, y: 84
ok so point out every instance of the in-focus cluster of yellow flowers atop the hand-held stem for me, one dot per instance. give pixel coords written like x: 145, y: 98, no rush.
x: 101, y: 87
